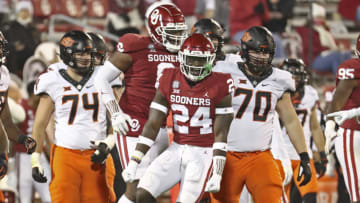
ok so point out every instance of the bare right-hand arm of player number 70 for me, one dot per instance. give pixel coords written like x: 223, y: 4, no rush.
x: 288, y: 116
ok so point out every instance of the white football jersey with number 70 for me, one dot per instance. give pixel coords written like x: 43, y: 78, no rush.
x: 254, y: 105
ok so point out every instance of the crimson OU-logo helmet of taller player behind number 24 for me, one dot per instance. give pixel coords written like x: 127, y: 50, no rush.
x: 166, y: 25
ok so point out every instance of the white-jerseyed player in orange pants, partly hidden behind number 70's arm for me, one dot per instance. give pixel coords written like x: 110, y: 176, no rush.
x: 304, y: 99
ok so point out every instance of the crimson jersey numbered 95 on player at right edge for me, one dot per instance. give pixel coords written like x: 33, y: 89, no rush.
x: 350, y: 70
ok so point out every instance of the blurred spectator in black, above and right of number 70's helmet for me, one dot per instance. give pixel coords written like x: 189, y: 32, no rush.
x: 280, y: 11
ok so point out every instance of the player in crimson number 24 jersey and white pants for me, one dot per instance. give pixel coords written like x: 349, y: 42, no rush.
x: 200, y: 101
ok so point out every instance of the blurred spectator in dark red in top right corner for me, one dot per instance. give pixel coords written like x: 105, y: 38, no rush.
x: 350, y: 9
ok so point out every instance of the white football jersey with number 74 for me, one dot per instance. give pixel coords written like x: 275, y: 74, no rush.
x: 80, y: 114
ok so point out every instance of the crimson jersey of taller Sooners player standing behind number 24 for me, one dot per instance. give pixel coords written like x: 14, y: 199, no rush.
x: 148, y: 61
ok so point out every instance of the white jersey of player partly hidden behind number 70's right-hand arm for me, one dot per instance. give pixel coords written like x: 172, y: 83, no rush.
x: 303, y: 110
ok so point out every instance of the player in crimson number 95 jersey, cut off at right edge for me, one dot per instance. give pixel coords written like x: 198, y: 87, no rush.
x: 347, y: 138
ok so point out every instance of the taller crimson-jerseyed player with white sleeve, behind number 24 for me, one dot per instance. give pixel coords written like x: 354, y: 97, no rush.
x: 142, y: 60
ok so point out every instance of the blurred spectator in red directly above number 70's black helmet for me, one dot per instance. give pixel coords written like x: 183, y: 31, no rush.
x: 245, y: 14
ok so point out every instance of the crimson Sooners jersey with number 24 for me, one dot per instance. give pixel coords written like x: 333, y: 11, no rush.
x: 194, y: 107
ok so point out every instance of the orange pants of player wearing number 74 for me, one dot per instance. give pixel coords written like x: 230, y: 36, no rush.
x: 75, y: 178
